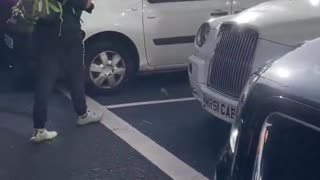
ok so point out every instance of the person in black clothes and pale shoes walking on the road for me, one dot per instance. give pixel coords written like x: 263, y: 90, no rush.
x: 59, y: 47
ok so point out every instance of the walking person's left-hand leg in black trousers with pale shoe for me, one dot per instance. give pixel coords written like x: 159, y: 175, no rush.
x: 47, y: 73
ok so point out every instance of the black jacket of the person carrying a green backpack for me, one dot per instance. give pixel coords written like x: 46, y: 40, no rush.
x: 71, y: 21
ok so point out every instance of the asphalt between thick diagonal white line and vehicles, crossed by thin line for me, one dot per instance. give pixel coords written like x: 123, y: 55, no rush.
x: 162, y: 107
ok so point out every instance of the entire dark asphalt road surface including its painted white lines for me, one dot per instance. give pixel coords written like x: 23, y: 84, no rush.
x: 154, y: 129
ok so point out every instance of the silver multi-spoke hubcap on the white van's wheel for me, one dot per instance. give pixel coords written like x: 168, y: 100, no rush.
x: 107, y: 70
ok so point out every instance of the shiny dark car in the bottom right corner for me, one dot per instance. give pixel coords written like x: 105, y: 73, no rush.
x: 277, y: 132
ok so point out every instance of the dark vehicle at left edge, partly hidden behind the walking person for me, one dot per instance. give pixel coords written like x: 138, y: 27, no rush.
x: 16, y: 49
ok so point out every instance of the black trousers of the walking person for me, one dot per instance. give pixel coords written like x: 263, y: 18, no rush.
x: 57, y: 55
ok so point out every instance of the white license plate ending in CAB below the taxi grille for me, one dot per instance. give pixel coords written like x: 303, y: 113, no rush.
x: 218, y: 108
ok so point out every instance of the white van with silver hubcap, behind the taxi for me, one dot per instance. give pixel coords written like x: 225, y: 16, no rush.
x: 124, y: 37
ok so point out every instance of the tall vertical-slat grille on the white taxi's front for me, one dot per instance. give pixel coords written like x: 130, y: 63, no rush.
x: 230, y: 67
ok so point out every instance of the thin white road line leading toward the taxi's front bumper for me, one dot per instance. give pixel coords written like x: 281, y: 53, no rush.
x: 150, y: 103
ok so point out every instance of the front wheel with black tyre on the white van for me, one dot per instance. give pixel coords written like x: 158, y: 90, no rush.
x: 116, y: 63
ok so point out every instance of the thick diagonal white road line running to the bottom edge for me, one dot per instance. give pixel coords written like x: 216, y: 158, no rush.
x: 164, y: 160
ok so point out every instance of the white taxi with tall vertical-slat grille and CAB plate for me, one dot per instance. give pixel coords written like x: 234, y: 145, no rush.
x: 231, y: 48
